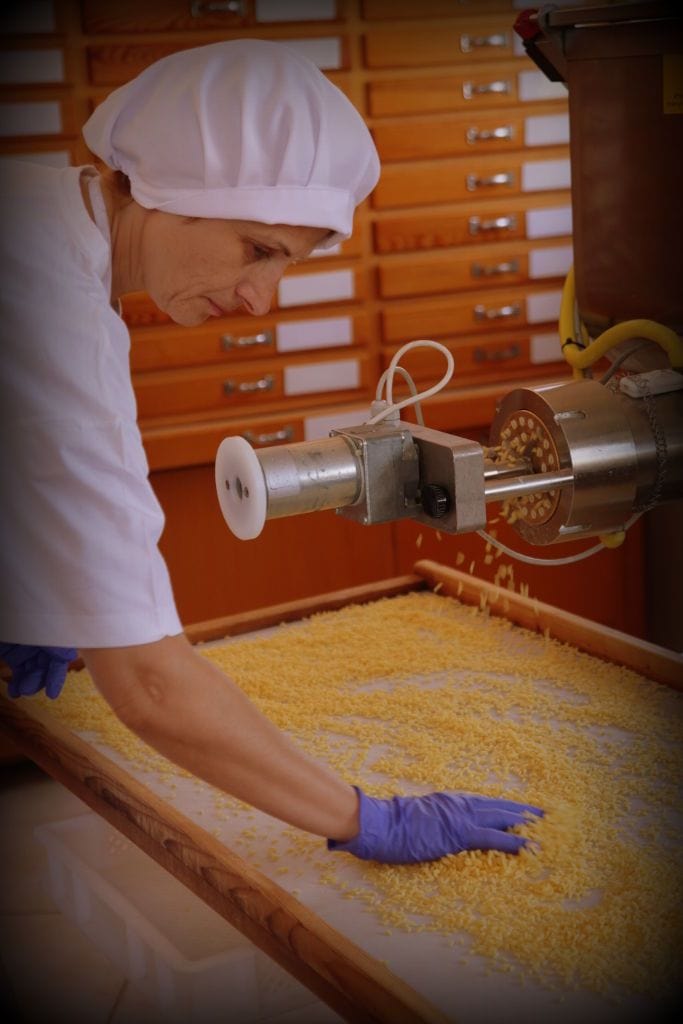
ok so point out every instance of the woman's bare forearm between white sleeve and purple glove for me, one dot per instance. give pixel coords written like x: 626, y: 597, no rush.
x: 187, y: 709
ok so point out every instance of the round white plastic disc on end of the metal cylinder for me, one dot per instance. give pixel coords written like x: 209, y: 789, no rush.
x: 241, y: 488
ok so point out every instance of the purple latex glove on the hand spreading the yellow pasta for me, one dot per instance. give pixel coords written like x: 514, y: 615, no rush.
x: 409, y: 830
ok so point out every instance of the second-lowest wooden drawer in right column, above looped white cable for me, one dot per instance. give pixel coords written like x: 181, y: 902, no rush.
x: 475, y: 314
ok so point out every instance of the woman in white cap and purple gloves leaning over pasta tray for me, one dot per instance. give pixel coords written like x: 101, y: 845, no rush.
x: 224, y: 166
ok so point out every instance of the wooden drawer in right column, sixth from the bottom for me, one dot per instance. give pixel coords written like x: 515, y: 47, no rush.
x: 469, y: 134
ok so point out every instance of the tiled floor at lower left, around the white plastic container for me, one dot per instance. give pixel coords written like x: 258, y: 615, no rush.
x: 51, y: 973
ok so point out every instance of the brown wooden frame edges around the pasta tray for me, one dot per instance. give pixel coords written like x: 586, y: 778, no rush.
x: 356, y: 986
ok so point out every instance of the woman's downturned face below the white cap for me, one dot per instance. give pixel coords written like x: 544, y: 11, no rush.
x: 195, y: 269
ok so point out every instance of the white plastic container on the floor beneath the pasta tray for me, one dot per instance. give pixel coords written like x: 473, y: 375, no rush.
x: 190, y: 963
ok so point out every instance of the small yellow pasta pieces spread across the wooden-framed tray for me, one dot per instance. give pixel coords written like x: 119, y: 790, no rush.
x: 420, y: 693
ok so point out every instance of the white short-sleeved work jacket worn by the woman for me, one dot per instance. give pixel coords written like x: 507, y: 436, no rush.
x: 79, y: 522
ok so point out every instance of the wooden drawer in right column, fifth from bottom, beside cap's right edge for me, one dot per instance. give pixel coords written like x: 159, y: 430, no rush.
x: 472, y: 179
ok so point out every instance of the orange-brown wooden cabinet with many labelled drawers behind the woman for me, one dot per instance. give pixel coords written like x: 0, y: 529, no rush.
x: 466, y: 239
